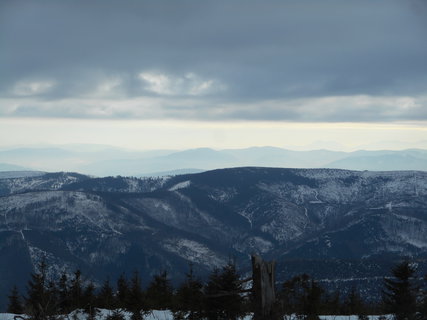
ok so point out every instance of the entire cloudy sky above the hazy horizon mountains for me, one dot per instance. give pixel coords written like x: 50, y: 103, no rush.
x: 221, y: 74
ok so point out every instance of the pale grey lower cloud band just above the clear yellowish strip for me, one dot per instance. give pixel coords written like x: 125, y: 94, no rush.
x: 328, y: 109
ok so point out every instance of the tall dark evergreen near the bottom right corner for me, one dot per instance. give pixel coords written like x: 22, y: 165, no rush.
x: 399, y: 294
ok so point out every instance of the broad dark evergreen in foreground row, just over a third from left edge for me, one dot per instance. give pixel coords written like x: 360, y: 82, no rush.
x: 160, y: 292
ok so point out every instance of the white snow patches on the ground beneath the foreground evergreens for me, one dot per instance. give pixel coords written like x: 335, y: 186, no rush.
x: 166, y: 315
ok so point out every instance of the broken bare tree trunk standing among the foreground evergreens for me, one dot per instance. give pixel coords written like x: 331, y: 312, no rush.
x: 263, y: 276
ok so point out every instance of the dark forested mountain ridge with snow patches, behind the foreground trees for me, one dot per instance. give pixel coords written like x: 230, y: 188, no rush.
x: 338, y: 224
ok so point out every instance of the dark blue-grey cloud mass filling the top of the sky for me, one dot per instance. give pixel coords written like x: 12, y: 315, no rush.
x: 236, y: 52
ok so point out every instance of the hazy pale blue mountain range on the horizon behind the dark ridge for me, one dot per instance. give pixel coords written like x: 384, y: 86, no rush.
x: 108, y: 161
